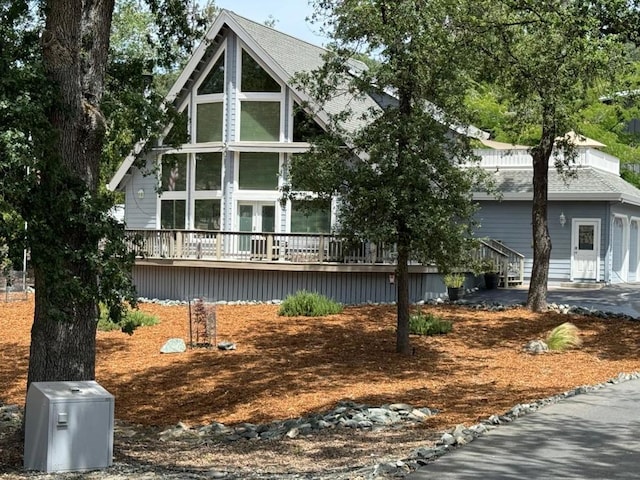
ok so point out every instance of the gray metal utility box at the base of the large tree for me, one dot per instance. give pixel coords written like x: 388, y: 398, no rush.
x: 69, y: 427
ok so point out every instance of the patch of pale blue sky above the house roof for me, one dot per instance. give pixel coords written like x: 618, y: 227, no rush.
x: 290, y: 16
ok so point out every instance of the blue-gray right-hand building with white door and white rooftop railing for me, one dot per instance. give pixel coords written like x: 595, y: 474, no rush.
x: 593, y: 214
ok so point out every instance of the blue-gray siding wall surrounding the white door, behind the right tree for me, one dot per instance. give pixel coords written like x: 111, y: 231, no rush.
x: 510, y: 223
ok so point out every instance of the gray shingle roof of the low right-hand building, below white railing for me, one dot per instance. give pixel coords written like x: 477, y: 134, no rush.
x: 588, y: 184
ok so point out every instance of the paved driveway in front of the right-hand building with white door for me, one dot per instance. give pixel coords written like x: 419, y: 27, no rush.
x: 612, y: 298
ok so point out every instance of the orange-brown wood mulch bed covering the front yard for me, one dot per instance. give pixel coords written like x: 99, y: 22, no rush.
x: 288, y: 367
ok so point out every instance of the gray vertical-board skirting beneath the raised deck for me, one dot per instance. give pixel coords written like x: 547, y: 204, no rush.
x: 222, y: 284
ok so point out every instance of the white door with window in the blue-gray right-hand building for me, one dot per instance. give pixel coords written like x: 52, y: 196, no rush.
x: 585, y: 248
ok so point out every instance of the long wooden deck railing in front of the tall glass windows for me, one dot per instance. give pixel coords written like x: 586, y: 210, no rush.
x: 252, y: 246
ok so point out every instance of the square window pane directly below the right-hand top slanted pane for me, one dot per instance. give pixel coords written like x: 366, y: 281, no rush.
x: 260, y: 121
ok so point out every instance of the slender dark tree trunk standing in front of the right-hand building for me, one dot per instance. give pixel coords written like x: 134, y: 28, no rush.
x: 537, y: 298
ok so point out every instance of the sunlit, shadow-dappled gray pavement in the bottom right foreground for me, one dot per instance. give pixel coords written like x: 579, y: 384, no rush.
x: 589, y: 436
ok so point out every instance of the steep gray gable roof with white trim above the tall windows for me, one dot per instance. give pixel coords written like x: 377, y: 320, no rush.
x: 285, y: 56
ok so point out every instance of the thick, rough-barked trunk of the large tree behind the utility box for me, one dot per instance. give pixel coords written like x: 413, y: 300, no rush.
x: 75, y: 46
